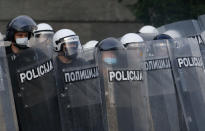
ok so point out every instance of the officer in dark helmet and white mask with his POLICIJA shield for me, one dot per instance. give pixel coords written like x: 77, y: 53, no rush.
x: 33, y: 88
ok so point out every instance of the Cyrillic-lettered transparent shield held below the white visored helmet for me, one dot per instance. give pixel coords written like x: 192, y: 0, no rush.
x: 79, y: 93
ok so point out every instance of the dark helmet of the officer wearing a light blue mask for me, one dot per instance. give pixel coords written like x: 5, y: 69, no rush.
x: 110, y: 44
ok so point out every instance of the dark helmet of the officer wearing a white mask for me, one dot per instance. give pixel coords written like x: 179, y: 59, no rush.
x: 20, y: 24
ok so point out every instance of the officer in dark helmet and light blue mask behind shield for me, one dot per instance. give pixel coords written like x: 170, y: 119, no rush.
x: 112, y: 56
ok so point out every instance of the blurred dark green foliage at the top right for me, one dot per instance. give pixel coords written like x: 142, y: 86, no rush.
x: 159, y: 12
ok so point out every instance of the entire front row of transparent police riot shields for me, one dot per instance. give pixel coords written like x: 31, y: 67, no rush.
x: 151, y: 86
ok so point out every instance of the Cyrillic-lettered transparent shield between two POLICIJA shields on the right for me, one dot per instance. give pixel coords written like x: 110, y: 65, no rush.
x: 162, y: 95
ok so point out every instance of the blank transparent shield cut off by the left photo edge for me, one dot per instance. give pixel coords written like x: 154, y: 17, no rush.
x: 8, y: 120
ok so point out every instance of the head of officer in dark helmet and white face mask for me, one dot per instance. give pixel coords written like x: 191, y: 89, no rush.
x: 19, y: 31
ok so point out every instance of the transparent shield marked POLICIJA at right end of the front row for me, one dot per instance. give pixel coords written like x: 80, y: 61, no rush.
x: 189, y: 79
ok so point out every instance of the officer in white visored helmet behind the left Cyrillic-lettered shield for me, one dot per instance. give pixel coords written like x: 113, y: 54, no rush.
x: 79, y: 111
